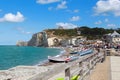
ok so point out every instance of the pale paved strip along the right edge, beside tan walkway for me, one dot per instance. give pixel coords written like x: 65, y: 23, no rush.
x: 115, y: 67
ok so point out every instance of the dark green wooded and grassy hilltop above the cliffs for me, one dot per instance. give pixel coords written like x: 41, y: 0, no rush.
x: 90, y: 33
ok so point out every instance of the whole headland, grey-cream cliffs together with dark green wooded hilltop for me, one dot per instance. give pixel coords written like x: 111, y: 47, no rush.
x: 56, y: 37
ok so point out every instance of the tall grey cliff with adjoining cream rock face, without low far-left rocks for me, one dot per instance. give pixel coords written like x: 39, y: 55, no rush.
x: 44, y: 39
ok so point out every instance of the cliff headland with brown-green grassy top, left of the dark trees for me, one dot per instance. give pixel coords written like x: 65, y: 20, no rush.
x: 51, y: 38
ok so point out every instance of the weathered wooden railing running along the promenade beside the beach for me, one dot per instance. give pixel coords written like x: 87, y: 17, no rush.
x: 85, y: 66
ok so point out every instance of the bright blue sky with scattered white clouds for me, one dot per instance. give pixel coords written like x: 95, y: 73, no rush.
x: 20, y: 19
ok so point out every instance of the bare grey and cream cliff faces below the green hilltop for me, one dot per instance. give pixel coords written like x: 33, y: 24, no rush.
x: 48, y: 39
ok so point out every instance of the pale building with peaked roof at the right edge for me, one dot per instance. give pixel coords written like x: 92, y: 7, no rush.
x: 112, y: 37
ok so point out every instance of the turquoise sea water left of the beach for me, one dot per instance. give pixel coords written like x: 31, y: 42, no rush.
x: 11, y: 56
